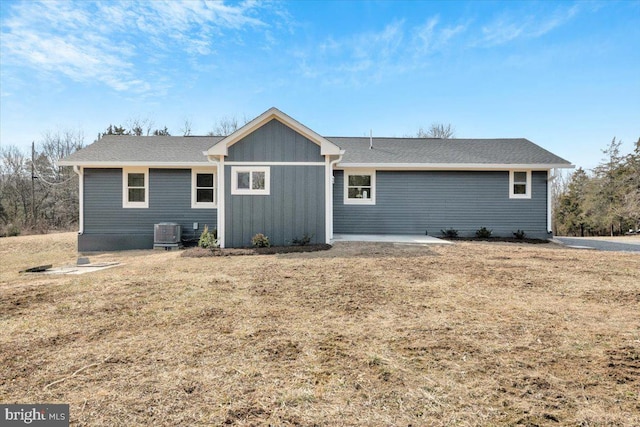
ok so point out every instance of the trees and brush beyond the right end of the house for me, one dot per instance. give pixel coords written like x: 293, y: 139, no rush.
x: 604, y: 201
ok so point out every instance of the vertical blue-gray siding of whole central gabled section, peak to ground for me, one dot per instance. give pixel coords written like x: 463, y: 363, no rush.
x: 296, y: 204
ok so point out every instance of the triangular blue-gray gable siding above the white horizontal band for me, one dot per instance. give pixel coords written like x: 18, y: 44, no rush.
x: 274, y: 142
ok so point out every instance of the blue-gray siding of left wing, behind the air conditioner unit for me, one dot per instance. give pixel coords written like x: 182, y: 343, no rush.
x: 109, y: 226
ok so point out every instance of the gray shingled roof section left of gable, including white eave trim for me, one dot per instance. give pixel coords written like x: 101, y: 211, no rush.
x: 127, y: 150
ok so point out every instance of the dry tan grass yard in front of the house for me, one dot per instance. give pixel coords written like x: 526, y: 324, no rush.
x: 470, y: 334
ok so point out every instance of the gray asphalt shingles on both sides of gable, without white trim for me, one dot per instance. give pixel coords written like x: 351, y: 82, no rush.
x: 115, y: 149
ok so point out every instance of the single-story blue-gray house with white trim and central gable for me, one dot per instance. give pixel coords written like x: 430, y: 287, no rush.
x: 277, y: 177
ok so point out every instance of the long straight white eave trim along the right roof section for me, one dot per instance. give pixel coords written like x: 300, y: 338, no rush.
x: 453, y: 166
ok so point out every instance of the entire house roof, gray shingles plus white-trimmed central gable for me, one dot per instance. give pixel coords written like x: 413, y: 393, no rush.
x: 390, y: 153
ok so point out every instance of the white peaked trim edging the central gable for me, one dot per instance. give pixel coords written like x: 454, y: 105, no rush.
x: 326, y: 147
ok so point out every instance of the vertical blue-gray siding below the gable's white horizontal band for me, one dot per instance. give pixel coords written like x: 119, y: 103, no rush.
x: 295, y: 207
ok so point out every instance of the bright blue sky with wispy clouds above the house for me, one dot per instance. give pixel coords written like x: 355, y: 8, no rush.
x: 565, y: 75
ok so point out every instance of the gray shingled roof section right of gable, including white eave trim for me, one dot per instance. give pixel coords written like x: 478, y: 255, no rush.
x: 449, y: 153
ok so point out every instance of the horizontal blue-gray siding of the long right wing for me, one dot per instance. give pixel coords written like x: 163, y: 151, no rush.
x: 416, y: 202
